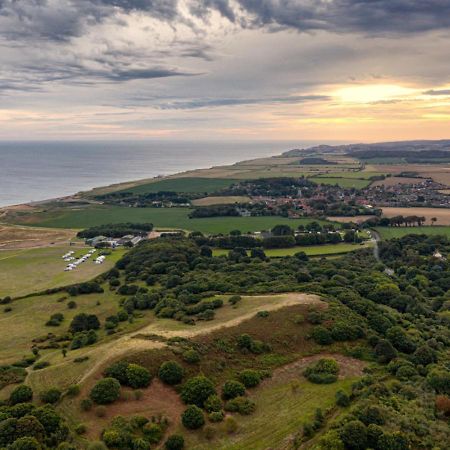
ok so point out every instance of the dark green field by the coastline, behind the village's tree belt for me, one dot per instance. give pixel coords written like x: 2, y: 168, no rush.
x: 191, y: 185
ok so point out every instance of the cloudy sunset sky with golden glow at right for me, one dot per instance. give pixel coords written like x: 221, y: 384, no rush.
x: 350, y: 70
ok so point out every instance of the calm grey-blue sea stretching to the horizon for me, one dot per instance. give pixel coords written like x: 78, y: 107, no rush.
x: 33, y: 171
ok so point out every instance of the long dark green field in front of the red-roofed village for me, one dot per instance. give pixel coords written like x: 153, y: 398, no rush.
x: 173, y: 218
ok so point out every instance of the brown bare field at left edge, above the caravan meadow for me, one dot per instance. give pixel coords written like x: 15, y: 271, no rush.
x: 15, y: 237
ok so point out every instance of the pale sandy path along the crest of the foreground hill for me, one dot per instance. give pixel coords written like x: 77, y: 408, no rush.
x: 131, y: 343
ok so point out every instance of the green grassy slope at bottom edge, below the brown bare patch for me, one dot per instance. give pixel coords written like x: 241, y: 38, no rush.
x: 279, y: 414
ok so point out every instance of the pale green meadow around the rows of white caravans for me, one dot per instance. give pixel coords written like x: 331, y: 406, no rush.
x: 25, y: 271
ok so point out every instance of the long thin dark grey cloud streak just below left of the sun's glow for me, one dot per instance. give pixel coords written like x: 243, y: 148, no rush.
x: 208, y: 103
